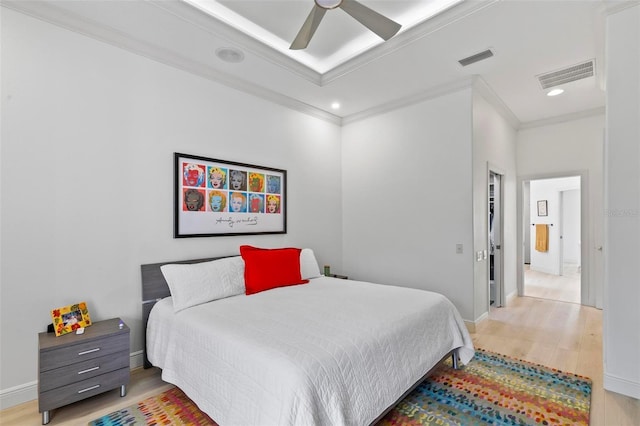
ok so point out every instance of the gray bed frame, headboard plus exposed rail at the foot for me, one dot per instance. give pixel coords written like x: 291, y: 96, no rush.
x: 155, y: 288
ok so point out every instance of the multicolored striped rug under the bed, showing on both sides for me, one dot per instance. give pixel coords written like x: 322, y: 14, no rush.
x: 492, y: 389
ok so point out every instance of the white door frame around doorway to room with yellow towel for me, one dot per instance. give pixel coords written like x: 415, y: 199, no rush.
x: 587, y: 291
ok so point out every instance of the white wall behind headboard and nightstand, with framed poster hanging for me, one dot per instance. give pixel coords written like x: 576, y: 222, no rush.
x: 87, y: 178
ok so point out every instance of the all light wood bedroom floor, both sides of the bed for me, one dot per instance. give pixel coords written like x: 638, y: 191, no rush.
x: 563, y: 335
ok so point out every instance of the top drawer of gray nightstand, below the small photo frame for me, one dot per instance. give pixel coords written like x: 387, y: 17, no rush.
x: 83, y: 351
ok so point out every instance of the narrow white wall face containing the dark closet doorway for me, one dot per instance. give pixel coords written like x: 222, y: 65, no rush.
x: 493, y: 148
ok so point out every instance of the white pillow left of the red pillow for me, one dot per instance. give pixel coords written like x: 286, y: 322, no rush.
x: 197, y: 283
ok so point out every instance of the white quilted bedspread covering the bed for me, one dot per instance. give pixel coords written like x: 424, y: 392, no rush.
x: 331, y: 352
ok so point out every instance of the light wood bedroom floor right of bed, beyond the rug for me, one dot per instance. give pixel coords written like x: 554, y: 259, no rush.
x: 566, y: 336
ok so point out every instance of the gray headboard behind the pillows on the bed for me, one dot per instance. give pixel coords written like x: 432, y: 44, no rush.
x: 154, y: 288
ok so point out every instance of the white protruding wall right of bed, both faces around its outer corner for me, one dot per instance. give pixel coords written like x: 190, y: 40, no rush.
x: 418, y: 177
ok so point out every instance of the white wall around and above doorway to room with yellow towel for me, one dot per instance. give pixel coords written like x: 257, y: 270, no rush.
x: 564, y: 149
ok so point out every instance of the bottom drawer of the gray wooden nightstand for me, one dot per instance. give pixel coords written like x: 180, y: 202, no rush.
x: 76, y: 391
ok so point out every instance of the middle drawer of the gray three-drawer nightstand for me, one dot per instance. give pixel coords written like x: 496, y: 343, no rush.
x: 57, y: 377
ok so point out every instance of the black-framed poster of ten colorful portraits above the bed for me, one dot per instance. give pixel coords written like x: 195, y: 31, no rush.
x: 220, y: 198
